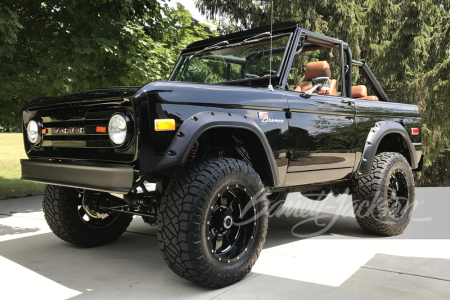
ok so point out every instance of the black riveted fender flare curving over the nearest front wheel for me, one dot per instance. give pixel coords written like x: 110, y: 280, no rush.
x: 192, y: 129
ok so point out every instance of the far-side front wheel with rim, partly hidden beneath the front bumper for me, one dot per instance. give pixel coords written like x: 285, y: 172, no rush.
x: 75, y: 218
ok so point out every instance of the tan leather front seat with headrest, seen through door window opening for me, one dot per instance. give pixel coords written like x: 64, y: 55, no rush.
x: 314, y: 70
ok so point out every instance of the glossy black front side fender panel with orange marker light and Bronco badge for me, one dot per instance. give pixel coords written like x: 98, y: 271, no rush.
x: 181, y: 101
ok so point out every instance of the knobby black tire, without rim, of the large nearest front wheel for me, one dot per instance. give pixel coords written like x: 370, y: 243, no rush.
x: 180, y: 213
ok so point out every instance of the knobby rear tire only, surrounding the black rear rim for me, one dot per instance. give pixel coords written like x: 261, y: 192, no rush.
x: 370, y: 197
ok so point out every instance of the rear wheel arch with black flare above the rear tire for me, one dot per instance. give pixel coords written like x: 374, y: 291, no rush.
x: 384, y: 137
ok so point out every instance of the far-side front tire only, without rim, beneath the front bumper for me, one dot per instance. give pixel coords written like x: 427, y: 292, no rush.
x: 60, y: 207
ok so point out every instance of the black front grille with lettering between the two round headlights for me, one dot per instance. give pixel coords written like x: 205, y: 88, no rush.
x: 71, y: 134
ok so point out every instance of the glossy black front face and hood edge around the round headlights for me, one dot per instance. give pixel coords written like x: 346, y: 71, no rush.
x: 84, y: 111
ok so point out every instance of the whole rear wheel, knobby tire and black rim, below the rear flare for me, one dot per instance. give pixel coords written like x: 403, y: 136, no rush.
x: 384, y: 201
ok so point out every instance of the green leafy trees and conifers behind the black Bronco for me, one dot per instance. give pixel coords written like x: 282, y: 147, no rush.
x: 58, y: 47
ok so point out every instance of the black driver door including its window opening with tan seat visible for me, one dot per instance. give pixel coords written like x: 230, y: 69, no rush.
x: 322, y: 125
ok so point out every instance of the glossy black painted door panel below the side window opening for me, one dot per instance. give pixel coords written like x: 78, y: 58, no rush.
x: 322, y: 134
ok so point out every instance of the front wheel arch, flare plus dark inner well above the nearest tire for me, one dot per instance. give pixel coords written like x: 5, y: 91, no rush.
x: 205, y: 124
